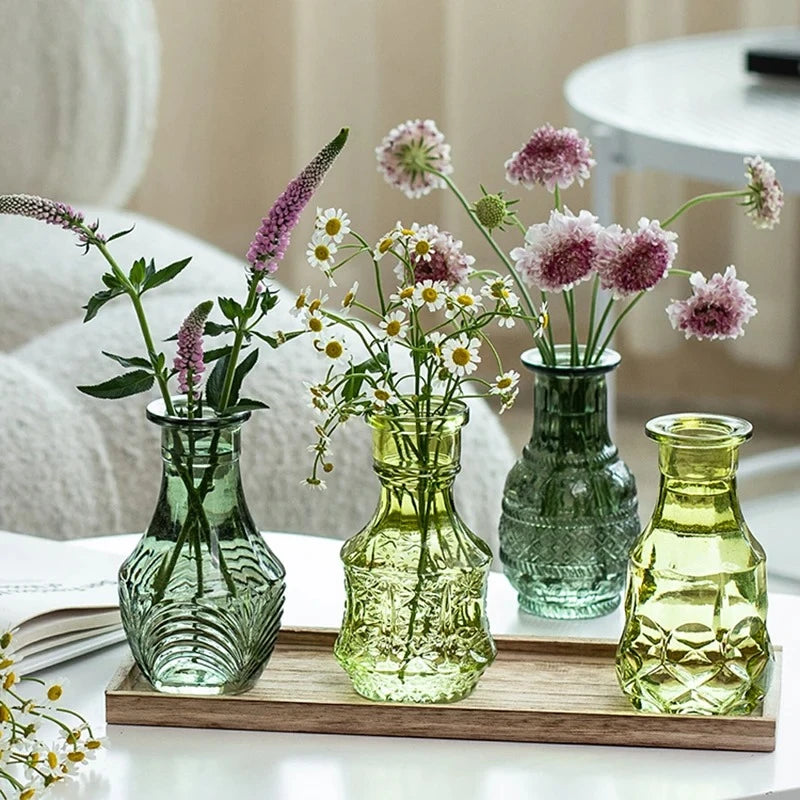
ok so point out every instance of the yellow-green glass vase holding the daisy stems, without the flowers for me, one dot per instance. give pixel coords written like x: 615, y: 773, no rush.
x: 415, y: 627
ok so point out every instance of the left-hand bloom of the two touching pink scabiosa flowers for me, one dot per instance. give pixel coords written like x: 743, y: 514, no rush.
x: 560, y: 253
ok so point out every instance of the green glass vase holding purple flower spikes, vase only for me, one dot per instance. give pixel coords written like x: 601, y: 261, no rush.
x: 201, y: 595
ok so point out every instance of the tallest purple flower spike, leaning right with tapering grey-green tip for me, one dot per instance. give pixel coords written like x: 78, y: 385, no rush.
x: 272, y: 239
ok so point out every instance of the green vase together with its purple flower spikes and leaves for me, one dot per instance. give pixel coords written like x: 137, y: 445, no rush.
x: 202, y: 594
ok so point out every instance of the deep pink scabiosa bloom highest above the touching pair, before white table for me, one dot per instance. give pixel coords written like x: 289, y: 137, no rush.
x: 551, y: 158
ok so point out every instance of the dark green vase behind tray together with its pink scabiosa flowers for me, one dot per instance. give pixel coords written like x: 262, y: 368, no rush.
x: 569, y: 508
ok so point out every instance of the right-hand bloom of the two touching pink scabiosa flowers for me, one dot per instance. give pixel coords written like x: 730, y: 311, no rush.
x: 630, y: 263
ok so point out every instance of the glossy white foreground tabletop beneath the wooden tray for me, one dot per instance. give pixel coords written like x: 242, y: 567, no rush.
x: 172, y: 764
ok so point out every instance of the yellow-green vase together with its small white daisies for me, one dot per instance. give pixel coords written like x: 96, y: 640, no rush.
x: 415, y: 626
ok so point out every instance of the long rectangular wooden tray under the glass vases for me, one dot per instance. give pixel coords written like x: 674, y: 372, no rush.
x: 538, y: 690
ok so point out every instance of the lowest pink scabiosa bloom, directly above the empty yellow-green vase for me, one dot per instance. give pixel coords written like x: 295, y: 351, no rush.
x: 718, y: 308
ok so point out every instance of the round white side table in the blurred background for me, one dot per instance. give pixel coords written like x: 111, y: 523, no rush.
x: 686, y: 106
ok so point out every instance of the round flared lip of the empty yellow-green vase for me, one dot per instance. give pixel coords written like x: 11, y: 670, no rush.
x: 697, y: 429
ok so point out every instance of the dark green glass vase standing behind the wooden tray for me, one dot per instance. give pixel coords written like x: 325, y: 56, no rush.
x: 569, y: 506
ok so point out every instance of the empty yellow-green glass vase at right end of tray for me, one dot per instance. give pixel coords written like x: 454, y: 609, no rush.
x: 695, y: 638
